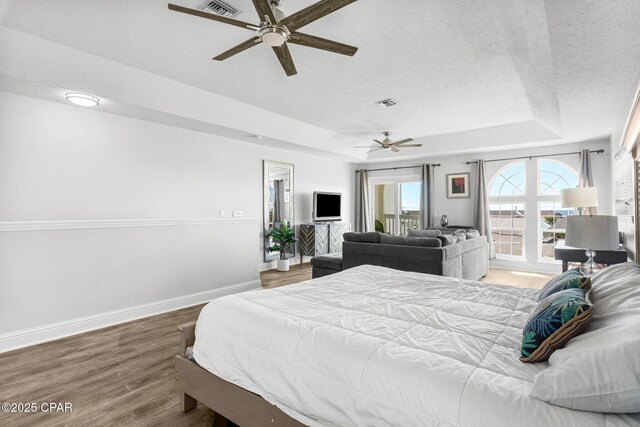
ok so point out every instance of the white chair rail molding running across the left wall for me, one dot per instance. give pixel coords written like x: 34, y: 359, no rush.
x: 12, y: 226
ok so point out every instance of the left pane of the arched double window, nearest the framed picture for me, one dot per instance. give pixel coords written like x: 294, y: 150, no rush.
x: 507, y: 209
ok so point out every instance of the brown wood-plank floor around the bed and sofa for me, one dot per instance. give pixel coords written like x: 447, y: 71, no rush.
x: 124, y: 375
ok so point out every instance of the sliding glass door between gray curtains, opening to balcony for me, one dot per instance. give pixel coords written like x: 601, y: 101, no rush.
x: 396, y: 206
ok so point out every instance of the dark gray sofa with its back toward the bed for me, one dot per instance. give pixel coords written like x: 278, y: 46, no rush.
x: 423, y: 251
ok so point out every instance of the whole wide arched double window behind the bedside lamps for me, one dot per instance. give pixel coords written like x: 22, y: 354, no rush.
x: 524, y: 203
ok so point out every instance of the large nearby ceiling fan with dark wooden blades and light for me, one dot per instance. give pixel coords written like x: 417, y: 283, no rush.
x: 276, y: 30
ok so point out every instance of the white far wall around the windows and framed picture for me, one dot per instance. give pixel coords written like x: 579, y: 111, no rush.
x: 460, y: 211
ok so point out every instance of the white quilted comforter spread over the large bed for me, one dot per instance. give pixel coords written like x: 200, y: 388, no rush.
x: 373, y: 346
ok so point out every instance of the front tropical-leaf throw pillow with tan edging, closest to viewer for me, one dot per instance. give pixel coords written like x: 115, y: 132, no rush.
x: 557, y: 318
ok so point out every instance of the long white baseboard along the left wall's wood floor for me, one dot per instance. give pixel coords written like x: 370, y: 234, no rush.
x: 55, y: 331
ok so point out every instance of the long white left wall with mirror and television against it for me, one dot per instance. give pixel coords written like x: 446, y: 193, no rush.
x: 104, y: 218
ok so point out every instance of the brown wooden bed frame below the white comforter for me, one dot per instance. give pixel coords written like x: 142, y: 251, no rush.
x: 229, y: 401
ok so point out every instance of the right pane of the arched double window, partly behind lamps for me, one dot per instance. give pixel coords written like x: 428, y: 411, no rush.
x: 553, y: 176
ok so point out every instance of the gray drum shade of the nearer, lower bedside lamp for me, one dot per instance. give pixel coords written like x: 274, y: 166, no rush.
x: 592, y: 232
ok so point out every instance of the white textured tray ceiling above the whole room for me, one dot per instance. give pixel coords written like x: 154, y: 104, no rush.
x: 468, y: 74
